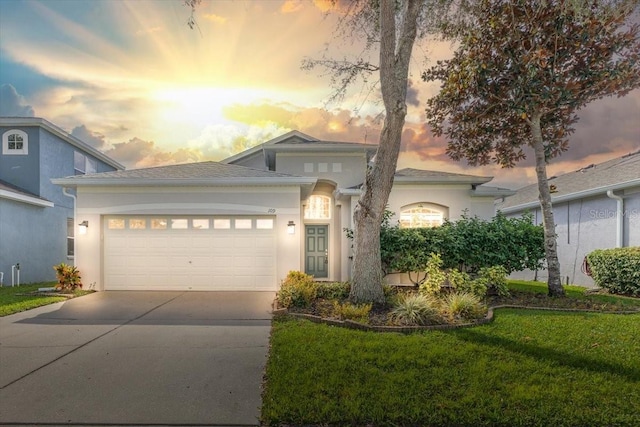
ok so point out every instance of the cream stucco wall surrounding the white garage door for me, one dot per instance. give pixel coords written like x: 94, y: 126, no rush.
x: 94, y: 203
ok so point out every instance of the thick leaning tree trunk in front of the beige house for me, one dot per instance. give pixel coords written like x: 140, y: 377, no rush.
x: 395, y: 54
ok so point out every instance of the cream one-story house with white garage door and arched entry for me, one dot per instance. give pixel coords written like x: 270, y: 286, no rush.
x: 245, y: 222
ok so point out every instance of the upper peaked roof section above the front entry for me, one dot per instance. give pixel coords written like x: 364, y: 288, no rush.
x: 296, y: 141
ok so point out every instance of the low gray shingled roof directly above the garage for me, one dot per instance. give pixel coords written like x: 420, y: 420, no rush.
x: 202, y: 173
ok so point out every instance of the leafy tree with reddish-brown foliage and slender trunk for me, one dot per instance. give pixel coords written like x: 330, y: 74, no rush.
x: 521, y: 73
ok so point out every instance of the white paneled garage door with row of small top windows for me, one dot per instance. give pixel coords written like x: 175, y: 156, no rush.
x: 189, y: 253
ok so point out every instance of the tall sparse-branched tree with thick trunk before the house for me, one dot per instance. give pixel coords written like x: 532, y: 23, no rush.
x: 392, y: 27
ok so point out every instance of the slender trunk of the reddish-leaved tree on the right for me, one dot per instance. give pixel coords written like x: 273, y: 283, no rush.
x: 554, y: 281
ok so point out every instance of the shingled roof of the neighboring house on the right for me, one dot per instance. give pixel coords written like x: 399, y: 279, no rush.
x: 616, y: 174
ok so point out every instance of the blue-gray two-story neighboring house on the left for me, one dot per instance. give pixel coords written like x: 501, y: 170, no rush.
x: 37, y: 221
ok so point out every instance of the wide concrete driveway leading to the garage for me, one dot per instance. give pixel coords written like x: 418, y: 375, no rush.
x: 120, y: 358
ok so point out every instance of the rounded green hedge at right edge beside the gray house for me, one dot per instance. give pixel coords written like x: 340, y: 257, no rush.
x: 617, y: 270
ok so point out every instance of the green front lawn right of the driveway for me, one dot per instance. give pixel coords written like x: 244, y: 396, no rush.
x: 527, y: 368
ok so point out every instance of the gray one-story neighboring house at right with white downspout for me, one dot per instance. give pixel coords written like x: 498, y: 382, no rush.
x: 596, y: 207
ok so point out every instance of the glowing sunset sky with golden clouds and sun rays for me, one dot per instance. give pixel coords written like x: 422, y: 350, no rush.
x: 132, y: 79
